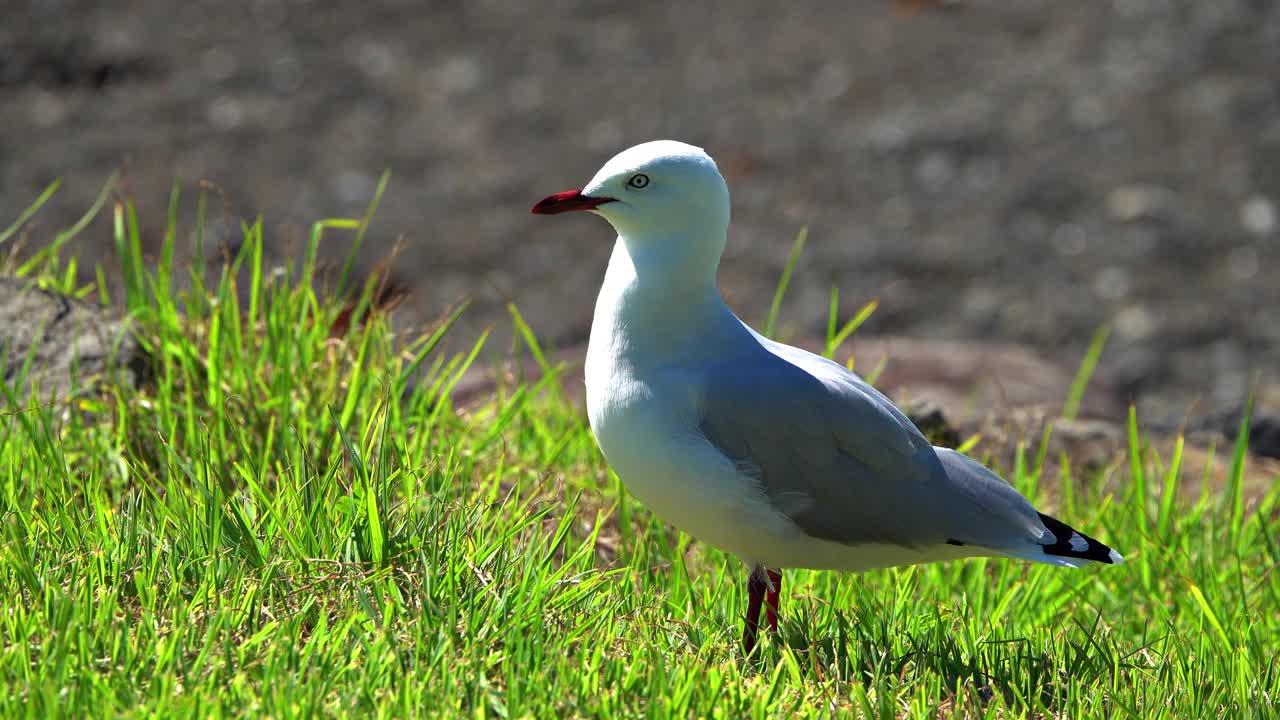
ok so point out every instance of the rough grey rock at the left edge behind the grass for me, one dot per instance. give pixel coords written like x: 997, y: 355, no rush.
x: 71, y: 344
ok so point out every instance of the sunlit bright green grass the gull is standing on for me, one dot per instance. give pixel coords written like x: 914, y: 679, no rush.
x: 289, y: 525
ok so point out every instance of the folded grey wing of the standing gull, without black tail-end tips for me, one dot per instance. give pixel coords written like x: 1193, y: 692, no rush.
x: 845, y: 464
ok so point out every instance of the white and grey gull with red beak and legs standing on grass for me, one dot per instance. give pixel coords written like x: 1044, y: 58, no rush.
x: 767, y: 452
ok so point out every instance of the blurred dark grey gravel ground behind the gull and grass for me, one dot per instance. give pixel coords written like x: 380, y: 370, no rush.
x: 1000, y: 170
